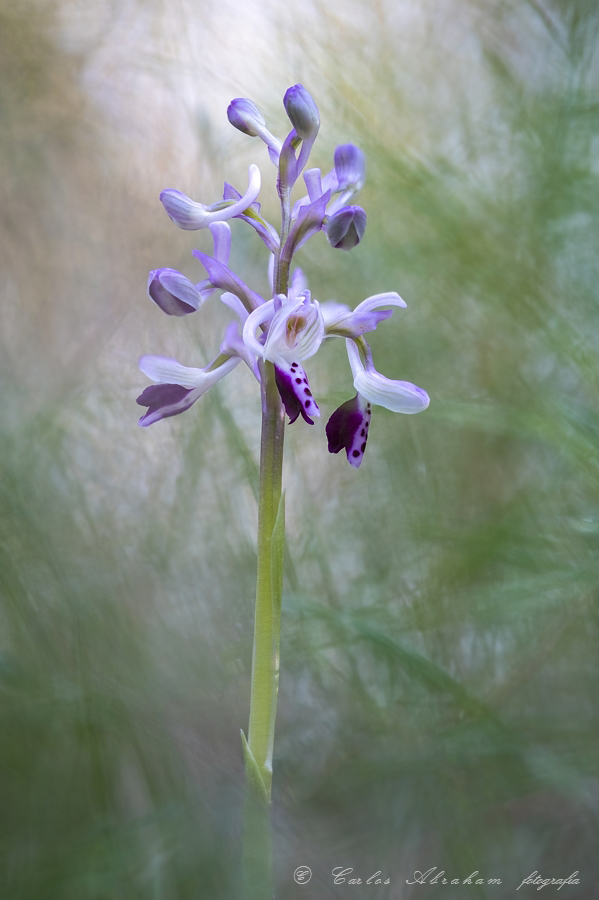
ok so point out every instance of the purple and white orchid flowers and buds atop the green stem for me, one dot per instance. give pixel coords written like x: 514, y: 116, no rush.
x: 289, y: 327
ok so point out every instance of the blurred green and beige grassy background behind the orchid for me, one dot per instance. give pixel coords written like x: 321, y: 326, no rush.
x: 439, y: 682
